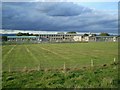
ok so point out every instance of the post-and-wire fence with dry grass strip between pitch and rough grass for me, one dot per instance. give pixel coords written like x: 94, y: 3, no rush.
x: 64, y: 67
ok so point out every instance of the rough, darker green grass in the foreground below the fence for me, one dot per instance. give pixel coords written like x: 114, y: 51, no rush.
x: 105, y: 76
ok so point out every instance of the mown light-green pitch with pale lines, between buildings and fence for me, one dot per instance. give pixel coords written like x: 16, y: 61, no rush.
x: 58, y: 55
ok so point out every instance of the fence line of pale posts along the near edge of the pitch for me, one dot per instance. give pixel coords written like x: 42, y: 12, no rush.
x: 63, y: 68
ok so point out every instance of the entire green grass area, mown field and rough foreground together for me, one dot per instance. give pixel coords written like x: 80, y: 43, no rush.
x: 63, y: 65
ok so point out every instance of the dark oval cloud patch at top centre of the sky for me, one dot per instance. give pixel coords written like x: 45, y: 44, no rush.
x: 62, y: 9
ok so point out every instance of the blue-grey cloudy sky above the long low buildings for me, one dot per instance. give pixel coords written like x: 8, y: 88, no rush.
x: 61, y: 16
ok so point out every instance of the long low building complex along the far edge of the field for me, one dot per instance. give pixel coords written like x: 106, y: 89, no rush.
x: 63, y: 38
